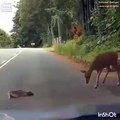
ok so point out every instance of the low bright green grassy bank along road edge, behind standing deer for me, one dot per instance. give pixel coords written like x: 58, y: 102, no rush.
x: 88, y: 49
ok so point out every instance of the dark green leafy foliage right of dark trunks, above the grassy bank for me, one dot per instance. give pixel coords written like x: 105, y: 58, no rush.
x: 106, y: 21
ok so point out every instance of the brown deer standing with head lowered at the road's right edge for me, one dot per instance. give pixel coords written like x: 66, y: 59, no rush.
x: 105, y: 60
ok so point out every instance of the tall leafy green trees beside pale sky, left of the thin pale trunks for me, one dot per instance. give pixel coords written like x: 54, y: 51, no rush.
x: 30, y: 22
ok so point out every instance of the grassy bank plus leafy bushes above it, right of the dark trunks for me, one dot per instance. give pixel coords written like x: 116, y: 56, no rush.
x: 106, y: 37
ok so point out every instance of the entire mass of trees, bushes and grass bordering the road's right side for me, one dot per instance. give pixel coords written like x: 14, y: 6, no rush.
x: 49, y: 25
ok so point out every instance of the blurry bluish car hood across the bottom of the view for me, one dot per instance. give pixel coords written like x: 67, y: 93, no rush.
x: 67, y: 112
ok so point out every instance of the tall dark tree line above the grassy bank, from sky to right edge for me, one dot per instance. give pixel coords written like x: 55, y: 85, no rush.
x: 43, y: 21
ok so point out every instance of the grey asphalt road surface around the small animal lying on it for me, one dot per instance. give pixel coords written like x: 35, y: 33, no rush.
x: 60, y: 91
